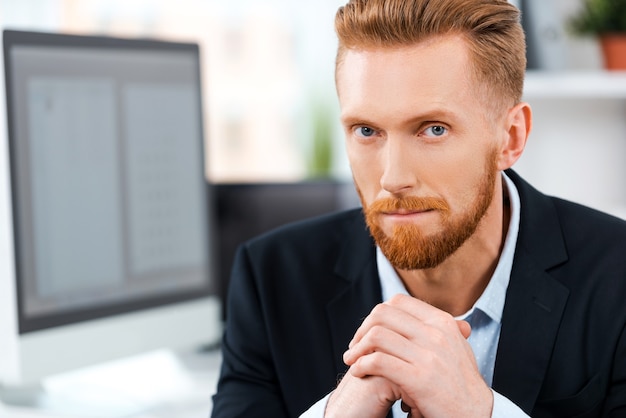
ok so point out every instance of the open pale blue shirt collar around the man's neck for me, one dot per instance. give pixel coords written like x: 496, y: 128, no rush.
x: 491, y: 302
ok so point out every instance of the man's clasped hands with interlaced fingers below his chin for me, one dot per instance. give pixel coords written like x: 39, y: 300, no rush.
x: 407, y: 349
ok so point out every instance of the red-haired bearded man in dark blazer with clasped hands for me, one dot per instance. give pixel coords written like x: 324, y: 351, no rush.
x: 458, y: 290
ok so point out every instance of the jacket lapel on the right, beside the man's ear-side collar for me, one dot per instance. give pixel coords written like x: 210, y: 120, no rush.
x: 535, y: 301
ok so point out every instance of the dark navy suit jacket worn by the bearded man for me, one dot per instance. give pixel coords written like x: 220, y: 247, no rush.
x: 298, y: 294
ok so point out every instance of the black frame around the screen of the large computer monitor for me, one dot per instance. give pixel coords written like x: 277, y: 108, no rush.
x: 20, y: 38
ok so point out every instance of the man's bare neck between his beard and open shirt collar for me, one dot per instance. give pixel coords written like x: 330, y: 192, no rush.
x: 456, y: 284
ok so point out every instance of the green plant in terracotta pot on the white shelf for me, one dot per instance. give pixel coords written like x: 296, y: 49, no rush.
x: 605, y: 19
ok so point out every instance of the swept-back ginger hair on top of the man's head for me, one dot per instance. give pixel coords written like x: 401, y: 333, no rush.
x: 491, y: 29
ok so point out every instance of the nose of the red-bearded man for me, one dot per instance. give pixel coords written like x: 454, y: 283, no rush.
x: 399, y: 167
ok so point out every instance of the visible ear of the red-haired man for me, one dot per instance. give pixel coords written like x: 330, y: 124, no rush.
x: 518, y: 125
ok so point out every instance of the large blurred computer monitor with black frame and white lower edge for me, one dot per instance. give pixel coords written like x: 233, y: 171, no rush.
x: 105, y: 226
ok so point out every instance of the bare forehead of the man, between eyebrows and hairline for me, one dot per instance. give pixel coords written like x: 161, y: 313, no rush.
x: 433, y: 72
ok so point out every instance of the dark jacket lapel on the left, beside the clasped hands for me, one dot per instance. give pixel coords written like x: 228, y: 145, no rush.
x: 358, y: 289
